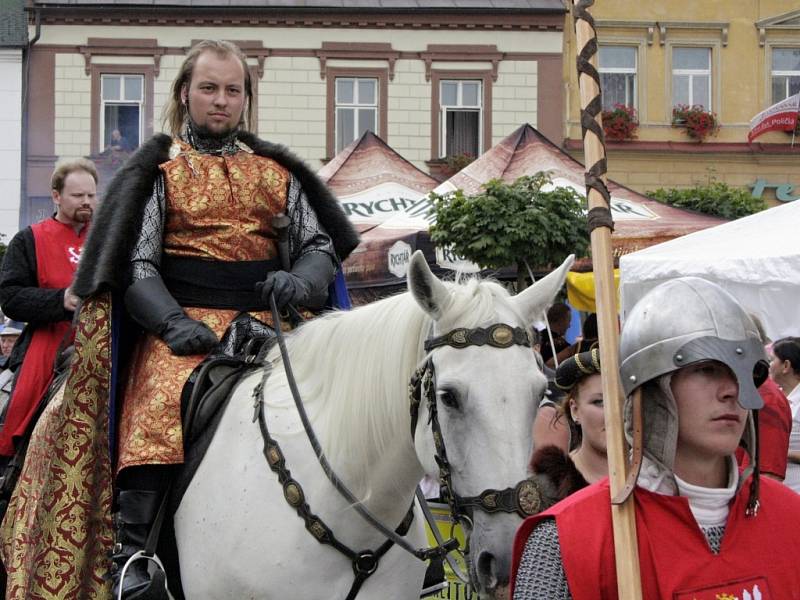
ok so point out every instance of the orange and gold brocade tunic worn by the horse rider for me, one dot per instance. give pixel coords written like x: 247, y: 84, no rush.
x: 218, y: 207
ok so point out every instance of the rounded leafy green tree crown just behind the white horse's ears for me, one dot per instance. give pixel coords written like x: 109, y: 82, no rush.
x: 510, y: 224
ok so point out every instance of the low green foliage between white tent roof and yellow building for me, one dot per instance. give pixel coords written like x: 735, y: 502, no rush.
x: 715, y: 198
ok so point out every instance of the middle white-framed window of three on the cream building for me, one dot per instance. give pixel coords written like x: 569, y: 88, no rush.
x: 356, y: 108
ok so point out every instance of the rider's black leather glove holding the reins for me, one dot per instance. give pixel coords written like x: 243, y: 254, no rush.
x: 306, y: 284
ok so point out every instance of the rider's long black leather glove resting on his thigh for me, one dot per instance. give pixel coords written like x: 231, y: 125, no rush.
x: 152, y: 306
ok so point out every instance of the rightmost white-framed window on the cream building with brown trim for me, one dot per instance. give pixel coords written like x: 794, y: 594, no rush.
x: 460, y: 117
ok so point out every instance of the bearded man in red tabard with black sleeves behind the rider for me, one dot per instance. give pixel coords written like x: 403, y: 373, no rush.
x: 35, y: 287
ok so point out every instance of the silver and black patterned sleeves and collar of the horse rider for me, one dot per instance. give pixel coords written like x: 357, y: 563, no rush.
x: 306, y: 233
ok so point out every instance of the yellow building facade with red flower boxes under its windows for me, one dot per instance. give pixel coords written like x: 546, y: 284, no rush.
x: 734, y: 57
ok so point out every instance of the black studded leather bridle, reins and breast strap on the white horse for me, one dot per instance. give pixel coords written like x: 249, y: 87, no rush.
x: 523, y: 499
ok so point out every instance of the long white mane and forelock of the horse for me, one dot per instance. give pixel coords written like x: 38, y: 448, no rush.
x: 357, y: 364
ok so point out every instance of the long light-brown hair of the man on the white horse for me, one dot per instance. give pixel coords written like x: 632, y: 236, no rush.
x: 175, y: 111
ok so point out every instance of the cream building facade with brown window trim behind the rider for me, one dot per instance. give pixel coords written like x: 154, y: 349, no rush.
x: 432, y: 82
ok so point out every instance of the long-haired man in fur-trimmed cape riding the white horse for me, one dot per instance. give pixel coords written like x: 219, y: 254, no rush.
x: 185, y: 239
